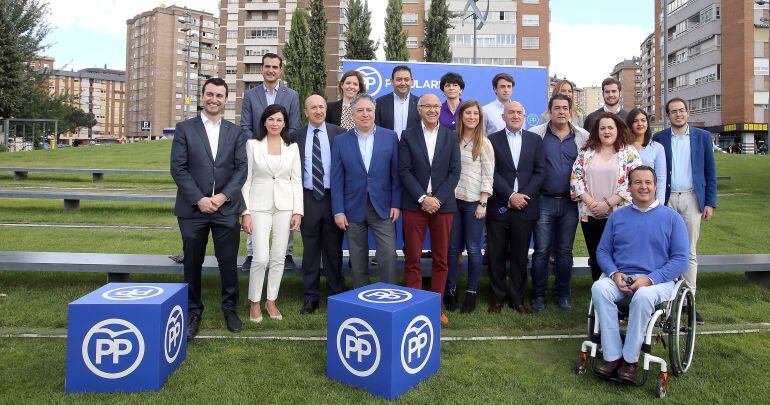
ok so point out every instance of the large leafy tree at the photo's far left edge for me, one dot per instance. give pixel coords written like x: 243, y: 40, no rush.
x: 23, y: 26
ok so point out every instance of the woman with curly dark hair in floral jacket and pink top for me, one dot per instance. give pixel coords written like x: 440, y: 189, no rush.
x: 599, y: 180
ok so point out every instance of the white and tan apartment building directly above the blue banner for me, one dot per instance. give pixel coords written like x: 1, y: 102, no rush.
x: 515, y: 32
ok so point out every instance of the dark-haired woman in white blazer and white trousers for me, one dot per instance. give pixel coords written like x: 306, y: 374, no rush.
x: 273, y: 196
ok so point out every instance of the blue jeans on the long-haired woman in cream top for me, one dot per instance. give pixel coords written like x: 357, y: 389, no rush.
x: 466, y: 232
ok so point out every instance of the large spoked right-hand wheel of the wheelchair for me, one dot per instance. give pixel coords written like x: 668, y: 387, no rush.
x: 681, y: 337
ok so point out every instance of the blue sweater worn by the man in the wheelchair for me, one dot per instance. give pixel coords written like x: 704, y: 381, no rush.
x: 652, y: 243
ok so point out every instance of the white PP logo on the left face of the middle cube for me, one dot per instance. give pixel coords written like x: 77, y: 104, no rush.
x: 358, y: 347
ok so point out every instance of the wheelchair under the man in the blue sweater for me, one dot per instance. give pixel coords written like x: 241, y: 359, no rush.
x: 672, y: 323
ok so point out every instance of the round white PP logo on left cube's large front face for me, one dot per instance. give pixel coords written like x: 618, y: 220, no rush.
x: 110, y: 340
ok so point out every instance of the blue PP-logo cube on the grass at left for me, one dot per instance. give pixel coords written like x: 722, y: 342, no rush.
x: 126, y: 337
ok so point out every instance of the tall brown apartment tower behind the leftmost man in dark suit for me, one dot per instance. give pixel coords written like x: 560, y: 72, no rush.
x: 170, y: 52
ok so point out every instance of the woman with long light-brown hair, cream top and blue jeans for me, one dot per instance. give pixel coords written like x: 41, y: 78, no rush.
x: 474, y: 188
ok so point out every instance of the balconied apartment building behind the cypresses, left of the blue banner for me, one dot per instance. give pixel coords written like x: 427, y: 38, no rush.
x: 249, y: 29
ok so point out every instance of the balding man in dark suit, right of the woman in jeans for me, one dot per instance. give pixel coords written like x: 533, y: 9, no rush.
x: 513, y: 207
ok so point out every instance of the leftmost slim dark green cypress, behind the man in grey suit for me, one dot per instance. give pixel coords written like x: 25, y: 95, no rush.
x: 298, y: 56
